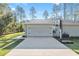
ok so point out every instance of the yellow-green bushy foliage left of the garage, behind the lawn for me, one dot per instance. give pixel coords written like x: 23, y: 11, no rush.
x: 13, y: 27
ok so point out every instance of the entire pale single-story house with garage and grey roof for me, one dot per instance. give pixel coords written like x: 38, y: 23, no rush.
x: 47, y: 27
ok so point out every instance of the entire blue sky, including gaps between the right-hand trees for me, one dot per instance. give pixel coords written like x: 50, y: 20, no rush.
x: 40, y: 7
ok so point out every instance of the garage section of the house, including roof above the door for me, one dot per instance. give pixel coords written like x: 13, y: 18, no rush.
x: 40, y: 28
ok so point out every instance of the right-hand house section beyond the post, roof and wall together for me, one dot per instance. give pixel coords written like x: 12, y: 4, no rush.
x: 72, y: 28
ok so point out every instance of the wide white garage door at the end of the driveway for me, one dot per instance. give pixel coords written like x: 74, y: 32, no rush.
x: 39, y: 30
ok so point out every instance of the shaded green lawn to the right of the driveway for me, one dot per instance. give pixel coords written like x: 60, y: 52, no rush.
x: 75, y: 46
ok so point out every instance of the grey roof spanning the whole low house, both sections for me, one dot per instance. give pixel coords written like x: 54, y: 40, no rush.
x: 40, y: 21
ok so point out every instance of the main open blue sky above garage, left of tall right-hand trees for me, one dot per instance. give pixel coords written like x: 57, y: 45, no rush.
x: 40, y: 7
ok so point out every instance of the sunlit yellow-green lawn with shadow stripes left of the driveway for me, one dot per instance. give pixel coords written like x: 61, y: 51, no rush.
x: 13, y: 43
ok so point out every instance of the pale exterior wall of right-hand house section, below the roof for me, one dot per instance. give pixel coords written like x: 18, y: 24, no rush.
x: 72, y: 30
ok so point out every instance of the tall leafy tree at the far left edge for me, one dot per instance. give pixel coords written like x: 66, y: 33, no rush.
x: 5, y: 17
